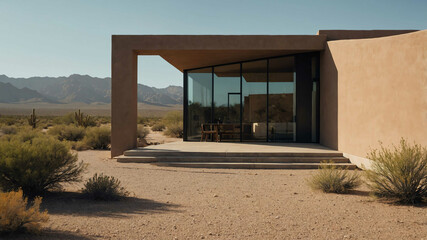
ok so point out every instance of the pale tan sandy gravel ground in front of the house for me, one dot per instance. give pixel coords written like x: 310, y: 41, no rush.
x: 181, y: 203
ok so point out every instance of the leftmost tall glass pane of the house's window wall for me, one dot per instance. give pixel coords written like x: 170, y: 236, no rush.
x: 199, y: 101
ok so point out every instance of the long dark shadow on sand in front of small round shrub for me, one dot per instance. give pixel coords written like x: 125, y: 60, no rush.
x: 72, y: 203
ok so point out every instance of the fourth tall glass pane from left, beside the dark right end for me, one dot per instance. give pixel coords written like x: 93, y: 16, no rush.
x: 281, y: 99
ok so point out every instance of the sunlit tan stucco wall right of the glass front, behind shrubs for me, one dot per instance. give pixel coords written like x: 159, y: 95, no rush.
x: 374, y: 90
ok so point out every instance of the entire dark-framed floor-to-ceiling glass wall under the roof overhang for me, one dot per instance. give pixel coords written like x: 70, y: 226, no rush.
x: 273, y: 99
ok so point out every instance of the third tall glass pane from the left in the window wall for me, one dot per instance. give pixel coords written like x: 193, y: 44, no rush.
x: 254, y: 100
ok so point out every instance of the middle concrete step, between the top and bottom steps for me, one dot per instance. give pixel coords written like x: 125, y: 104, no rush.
x: 210, y: 159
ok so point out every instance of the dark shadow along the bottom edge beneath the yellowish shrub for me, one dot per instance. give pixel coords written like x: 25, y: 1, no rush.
x: 47, y: 234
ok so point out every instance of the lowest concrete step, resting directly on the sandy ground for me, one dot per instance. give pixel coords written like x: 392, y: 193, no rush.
x: 240, y: 165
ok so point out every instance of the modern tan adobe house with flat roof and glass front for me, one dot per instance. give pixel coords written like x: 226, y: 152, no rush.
x: 343, y: 89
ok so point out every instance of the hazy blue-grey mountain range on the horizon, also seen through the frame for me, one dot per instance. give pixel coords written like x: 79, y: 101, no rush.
x: 78, y: 88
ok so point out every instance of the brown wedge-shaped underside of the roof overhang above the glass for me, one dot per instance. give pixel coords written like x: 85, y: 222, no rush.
x: 188, y: 59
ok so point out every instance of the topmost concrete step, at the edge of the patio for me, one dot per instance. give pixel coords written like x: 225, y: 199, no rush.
x: 167, y: 153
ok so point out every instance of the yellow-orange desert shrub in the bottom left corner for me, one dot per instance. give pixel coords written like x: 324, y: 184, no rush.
x: 16, y: 217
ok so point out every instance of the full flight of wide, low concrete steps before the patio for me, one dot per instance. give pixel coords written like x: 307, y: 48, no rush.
x: 236, y: 160
